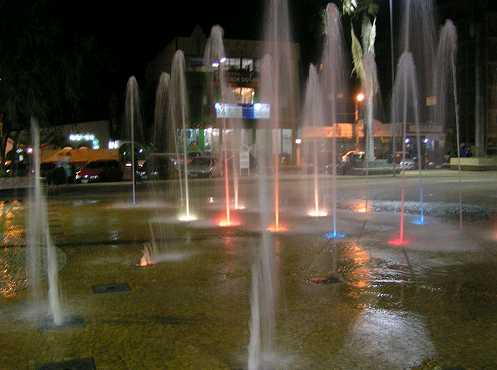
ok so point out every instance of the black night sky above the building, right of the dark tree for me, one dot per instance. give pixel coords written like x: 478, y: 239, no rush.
x: 137, y: 31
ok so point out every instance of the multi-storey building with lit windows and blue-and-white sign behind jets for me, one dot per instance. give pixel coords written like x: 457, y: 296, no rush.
x: 243, y: 61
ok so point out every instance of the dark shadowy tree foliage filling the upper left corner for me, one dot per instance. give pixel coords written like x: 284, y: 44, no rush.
x: 47, y: 69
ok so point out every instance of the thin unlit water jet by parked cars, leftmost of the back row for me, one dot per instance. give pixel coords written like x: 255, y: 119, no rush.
x: 133, y: 127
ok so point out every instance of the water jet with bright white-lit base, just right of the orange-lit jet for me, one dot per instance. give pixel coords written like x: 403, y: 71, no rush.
x: 312, y: 119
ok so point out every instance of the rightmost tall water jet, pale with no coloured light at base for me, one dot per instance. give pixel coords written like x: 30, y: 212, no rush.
x: 447, y: 109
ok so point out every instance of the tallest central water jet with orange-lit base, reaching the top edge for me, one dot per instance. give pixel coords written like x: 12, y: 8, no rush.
x: 278, y: 86
